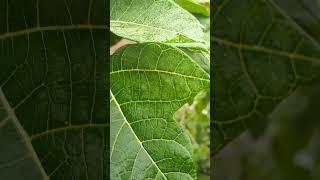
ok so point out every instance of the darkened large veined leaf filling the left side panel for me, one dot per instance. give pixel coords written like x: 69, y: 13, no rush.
x: 53, y: 107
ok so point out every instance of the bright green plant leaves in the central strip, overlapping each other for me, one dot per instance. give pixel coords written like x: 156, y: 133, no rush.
x: 150, y: 80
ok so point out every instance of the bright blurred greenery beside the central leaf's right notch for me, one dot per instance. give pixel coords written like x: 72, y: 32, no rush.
x: 194, y: 117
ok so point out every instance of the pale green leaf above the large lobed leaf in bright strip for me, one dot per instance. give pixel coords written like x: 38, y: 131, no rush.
x: 154, y: 21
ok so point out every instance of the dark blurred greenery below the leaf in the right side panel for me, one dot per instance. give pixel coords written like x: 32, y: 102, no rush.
x: 289, y: 149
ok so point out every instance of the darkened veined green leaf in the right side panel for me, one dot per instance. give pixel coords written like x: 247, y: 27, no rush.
x: 264, y: 50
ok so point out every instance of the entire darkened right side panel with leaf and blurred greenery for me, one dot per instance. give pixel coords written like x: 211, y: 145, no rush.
x: 266, y: 101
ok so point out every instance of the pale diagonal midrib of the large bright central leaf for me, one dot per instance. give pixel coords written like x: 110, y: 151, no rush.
x: 140, y: 143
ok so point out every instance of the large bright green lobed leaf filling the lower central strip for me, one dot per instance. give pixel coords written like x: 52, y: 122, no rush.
x: 145, y: 94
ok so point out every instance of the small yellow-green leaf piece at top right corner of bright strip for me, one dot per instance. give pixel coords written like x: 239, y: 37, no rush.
x: 194, y: 7
